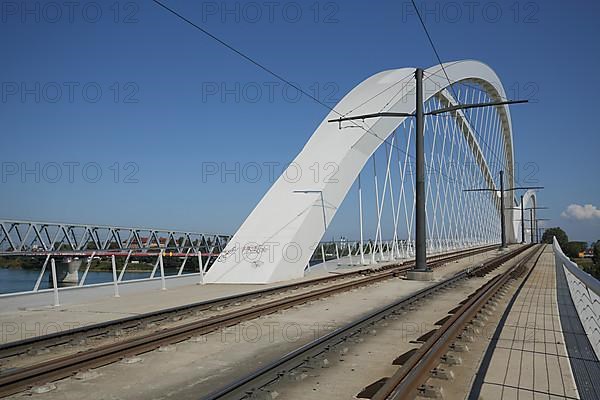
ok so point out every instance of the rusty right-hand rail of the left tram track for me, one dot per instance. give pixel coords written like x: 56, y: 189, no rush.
x: 62, y: 367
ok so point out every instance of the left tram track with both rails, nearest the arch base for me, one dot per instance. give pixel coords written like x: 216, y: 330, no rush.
x: 20, y: 379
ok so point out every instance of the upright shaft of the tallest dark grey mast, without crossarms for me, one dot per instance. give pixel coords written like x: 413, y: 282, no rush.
x: 420, y: 222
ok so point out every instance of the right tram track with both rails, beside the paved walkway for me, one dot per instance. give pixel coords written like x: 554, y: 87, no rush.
x: 256, y: 384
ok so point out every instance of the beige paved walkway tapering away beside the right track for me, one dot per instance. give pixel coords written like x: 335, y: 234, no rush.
x: 530, y: 359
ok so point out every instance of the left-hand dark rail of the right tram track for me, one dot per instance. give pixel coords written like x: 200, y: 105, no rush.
x: 248, y: 385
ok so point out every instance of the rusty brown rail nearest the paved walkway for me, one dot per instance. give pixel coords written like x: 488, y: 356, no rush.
x: 405, y: 383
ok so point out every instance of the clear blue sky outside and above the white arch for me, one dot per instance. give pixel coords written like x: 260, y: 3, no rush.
x: 129, y: 91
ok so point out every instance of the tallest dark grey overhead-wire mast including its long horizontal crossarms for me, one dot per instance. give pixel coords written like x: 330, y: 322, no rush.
x: 419, y: 115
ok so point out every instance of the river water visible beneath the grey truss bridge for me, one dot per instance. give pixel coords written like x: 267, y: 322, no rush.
x: 21, y: 280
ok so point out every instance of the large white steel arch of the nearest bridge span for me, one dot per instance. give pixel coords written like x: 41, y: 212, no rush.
x: 276, y: 240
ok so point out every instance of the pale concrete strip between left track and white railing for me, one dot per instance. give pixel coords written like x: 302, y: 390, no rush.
x: 31, y: 315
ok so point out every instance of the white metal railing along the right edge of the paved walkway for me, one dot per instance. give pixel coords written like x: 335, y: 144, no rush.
x: 585, y: 293
